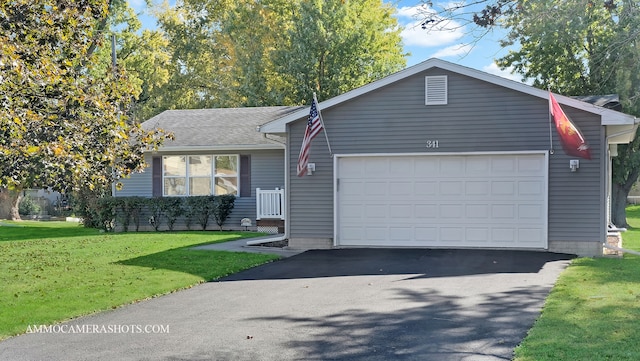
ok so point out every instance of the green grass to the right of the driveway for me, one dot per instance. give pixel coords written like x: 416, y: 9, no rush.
x: 593, y: 312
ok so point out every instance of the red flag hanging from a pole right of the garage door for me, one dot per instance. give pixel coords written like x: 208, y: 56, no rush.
x: 571, y: 137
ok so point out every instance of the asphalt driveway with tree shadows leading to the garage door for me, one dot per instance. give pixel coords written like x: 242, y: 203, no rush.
x: 350, y: 304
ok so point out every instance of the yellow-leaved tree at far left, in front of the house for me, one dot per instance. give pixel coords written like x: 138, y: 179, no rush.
x: 60, y: 126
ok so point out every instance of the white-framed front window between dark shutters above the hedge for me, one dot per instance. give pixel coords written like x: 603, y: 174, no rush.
x: 197, y: 175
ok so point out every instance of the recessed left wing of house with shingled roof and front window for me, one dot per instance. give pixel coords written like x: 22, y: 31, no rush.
x: 215, y: 151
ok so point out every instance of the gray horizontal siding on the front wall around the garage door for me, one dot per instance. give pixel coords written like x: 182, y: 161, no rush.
x: 479, y: 117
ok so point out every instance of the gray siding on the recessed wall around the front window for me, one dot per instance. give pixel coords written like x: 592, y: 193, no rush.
x: 267, y: 172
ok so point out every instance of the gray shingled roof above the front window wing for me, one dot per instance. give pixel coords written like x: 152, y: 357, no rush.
x: 229, y: 128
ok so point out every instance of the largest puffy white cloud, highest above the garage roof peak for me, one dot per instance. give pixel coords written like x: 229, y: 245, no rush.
x: 412, y: 17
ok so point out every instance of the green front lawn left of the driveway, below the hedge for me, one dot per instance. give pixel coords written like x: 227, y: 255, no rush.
x: 54, y: 271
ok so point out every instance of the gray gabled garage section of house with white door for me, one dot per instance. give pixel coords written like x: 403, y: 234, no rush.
x: 441, y: 155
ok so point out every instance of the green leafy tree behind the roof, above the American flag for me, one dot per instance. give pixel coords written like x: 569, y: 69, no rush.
x: 333, y: 46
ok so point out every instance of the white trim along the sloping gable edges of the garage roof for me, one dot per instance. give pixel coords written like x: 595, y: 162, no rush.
x: 608, y: 116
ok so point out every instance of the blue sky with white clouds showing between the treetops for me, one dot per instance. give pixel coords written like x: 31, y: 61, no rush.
x: 457, y: 45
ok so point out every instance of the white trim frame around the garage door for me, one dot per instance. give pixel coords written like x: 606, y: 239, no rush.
x: 545, y: 174
